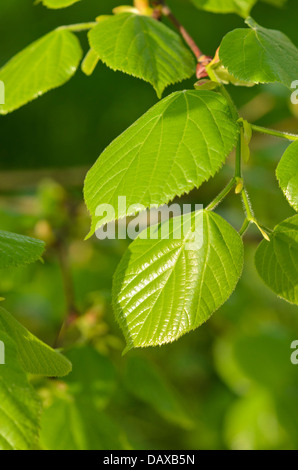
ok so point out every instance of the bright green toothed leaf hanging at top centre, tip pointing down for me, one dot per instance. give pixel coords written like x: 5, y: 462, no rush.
x: 143, y: 47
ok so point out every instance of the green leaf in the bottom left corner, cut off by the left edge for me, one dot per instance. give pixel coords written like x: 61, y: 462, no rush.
x: 19, y: 406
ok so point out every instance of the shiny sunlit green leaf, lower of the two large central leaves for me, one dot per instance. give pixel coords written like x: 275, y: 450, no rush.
x: 164, y: 288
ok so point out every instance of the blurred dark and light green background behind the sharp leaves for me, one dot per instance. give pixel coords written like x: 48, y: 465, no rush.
x: 228, y: 385
